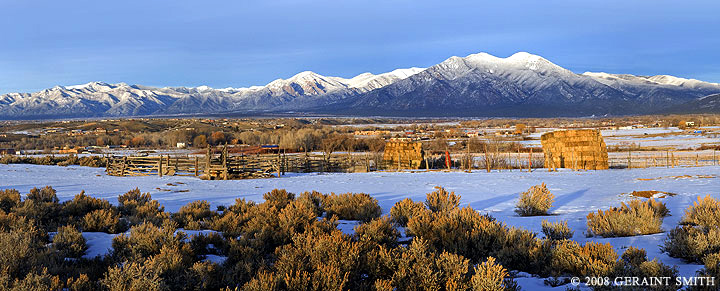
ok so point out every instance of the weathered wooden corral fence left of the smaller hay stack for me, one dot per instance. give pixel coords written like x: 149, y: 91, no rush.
x: 225, y: 166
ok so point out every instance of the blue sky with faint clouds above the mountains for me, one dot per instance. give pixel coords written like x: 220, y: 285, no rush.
x: 243, y: 43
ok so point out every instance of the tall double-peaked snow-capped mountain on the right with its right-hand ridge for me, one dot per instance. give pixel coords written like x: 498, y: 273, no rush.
x: 523, y: 85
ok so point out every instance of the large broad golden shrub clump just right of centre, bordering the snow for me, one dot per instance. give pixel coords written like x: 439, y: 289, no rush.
x: 462, y: 231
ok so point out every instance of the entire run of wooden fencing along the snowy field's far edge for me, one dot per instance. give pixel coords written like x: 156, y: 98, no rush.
x: 225, y: 166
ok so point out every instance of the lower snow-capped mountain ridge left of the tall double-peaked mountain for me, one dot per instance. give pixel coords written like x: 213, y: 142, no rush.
x: 304, y: 90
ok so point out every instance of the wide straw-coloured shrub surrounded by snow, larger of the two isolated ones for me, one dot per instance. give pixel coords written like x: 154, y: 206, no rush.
x: 634, y: 218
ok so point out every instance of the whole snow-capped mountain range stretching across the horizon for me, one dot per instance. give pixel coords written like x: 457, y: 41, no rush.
x: 478, y: 85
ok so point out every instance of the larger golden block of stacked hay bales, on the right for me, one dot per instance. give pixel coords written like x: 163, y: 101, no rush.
x: 575, y: 149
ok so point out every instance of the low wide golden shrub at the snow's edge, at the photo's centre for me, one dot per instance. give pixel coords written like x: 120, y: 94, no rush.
x: 352, y: 206
